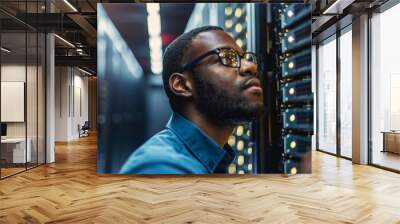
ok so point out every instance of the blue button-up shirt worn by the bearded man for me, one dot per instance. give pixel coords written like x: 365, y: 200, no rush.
x: 181, y: 148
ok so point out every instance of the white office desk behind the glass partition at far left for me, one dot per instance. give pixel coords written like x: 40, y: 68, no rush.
x: 13, y: 150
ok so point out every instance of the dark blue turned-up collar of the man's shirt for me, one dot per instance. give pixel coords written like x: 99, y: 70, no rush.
x: 209, y: 153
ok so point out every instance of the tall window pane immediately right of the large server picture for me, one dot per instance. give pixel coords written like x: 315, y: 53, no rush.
x: 327, y: 96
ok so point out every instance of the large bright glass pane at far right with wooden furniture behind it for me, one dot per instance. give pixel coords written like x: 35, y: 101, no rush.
x: 385, y: 84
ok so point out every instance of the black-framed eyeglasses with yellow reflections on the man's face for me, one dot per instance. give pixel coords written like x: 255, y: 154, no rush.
x: 227, y: 56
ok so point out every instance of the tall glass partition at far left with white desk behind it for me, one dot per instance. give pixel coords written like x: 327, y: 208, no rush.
x: 22, y: 89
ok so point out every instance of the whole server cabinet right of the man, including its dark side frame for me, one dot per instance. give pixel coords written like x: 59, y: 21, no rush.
x: 288, y: 121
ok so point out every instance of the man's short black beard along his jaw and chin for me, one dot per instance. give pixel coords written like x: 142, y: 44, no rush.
x: 222, y: 108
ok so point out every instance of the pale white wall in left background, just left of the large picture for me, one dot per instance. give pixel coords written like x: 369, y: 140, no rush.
x: 71, y: 92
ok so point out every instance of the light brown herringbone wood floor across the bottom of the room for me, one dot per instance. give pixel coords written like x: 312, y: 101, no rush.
x: 70, y: 191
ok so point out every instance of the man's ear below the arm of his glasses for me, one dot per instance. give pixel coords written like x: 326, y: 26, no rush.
x: 180, y: 85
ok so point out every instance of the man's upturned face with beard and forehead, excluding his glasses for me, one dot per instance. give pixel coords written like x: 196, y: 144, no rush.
x: 226, y: 95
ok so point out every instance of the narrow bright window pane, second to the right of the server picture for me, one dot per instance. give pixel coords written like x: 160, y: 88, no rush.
x: 346, y: 94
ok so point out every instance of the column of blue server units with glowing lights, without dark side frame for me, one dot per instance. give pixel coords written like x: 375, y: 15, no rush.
x: 292, y: 26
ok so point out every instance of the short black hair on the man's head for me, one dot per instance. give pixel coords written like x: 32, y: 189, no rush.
x: 174, y: 53
